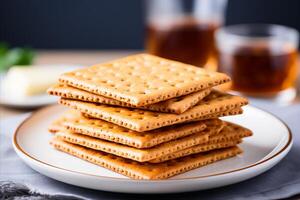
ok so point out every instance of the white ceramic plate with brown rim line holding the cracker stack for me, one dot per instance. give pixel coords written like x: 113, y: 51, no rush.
x: 271, y: 141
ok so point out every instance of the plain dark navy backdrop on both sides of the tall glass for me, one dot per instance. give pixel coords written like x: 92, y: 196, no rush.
x: 113, y: 24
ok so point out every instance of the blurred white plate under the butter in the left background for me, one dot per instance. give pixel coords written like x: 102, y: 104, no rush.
x: 35, y: 100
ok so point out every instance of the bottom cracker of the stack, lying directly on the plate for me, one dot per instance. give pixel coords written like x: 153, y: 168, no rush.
x: 138, y: 170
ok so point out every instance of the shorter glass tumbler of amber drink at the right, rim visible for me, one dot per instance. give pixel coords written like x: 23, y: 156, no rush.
x: 260, y: 58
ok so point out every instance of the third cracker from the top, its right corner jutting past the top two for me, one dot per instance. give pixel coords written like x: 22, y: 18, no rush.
x: 141, y: 120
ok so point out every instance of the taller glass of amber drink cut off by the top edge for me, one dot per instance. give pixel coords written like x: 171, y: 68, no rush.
x: 183, y: 30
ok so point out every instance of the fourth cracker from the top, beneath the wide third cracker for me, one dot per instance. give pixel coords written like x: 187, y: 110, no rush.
x: 107, y: 131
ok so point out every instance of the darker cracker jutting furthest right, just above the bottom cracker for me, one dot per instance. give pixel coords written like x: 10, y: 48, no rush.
x: 230, y: 135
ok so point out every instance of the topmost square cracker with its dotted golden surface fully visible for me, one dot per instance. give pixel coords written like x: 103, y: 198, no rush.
x: 143, y: 79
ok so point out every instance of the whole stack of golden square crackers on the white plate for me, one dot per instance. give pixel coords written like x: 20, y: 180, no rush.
x: 146, y: 117
